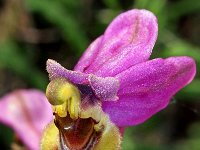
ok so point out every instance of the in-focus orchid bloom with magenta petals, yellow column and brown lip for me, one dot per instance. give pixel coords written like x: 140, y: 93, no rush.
x: 113, y: 85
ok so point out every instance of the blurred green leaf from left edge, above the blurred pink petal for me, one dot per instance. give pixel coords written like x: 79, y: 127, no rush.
x: 12, y: 58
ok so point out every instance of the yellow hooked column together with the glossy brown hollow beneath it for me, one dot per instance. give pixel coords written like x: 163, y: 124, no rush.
x: 75, y: 132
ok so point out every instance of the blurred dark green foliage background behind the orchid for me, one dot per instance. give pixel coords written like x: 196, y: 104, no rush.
x: 31, y: 31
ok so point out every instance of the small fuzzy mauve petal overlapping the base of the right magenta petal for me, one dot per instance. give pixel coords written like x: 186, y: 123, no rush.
x: 104, y: 88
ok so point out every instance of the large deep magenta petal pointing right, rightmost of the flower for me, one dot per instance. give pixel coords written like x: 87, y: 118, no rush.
x: 147, y: 88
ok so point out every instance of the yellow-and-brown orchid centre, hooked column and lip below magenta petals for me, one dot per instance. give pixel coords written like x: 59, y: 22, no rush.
x: 77, y: 125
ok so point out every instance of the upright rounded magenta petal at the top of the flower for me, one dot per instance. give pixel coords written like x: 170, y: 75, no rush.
x: 128, y: 40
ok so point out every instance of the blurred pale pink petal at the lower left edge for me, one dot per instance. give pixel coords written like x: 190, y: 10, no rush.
x: 23, y: 110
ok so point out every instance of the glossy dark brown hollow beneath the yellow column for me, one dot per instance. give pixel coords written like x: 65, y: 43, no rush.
x: 75, y: 133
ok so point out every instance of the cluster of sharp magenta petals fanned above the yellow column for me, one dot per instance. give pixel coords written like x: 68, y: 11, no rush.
x: 130, y: 87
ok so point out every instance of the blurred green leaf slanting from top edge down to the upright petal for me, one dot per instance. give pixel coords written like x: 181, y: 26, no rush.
x: 57, y: 14
